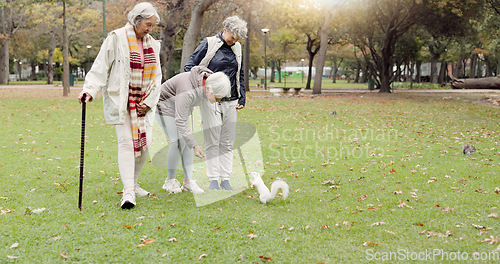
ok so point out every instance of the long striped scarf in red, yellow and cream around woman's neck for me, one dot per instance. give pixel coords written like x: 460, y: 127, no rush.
x: 141, y: 80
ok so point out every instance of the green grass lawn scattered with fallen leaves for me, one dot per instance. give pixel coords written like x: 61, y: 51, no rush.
x: 385, y: 177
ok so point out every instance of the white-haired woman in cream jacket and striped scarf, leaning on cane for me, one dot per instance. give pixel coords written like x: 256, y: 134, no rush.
x: 127, y: 70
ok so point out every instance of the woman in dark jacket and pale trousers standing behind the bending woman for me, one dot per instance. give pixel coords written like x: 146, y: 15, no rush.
x: 222, y: 53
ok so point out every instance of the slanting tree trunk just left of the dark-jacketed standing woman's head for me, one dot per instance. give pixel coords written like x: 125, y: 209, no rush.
x: 194, y: 29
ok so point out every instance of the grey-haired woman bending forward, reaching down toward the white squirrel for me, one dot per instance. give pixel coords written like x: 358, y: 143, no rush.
x: 179, y: 95
